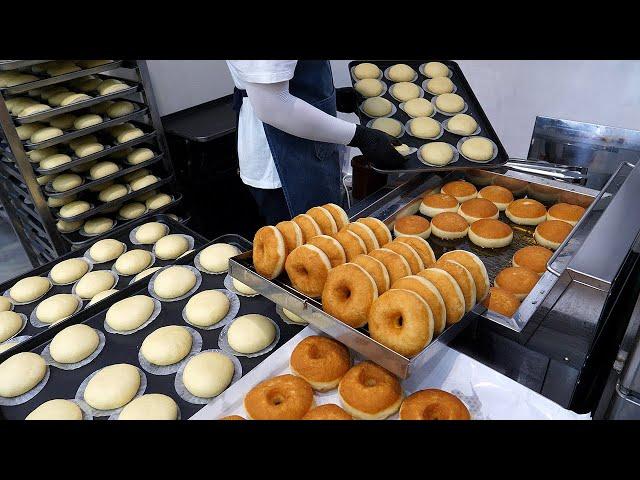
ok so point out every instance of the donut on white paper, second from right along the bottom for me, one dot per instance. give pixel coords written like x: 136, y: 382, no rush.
x: 369, y: 392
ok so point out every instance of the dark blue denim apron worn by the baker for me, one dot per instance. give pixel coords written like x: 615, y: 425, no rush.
x: 309, y: 171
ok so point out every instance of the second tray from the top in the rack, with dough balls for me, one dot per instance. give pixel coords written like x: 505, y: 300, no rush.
x: 40, y: 104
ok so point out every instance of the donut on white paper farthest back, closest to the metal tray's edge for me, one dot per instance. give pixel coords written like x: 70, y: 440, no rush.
x: 321, y: 361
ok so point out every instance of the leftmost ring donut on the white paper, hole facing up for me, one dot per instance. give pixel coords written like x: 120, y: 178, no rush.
x: 285, y: 397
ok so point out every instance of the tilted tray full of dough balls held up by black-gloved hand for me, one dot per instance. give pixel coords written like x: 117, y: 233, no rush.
x: 430, y: 108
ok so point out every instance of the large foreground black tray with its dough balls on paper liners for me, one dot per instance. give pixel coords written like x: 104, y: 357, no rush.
x: 165, y: 350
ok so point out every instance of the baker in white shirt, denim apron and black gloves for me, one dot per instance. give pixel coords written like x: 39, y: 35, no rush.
x: 288, y: 134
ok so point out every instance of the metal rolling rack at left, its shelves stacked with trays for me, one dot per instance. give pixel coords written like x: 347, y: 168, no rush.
x: 25, y: 188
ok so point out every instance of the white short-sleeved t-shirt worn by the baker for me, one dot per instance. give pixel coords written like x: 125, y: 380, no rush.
x: 257, y: 168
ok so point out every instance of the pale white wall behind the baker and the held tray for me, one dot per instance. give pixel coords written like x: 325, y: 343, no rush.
x: 512, y: 92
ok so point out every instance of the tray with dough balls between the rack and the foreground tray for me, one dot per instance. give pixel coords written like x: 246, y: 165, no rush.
x: 69, y: 284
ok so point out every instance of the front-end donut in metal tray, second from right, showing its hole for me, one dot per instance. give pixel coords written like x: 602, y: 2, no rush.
x: 348, y: 294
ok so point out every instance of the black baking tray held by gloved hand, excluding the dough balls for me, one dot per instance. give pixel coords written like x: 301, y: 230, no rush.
x: 474, y: 109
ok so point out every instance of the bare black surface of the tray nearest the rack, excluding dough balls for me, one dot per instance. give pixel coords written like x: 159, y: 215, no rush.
x: 121, y: 234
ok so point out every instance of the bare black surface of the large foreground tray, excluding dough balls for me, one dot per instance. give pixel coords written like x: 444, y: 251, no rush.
x: 124, y: 348
